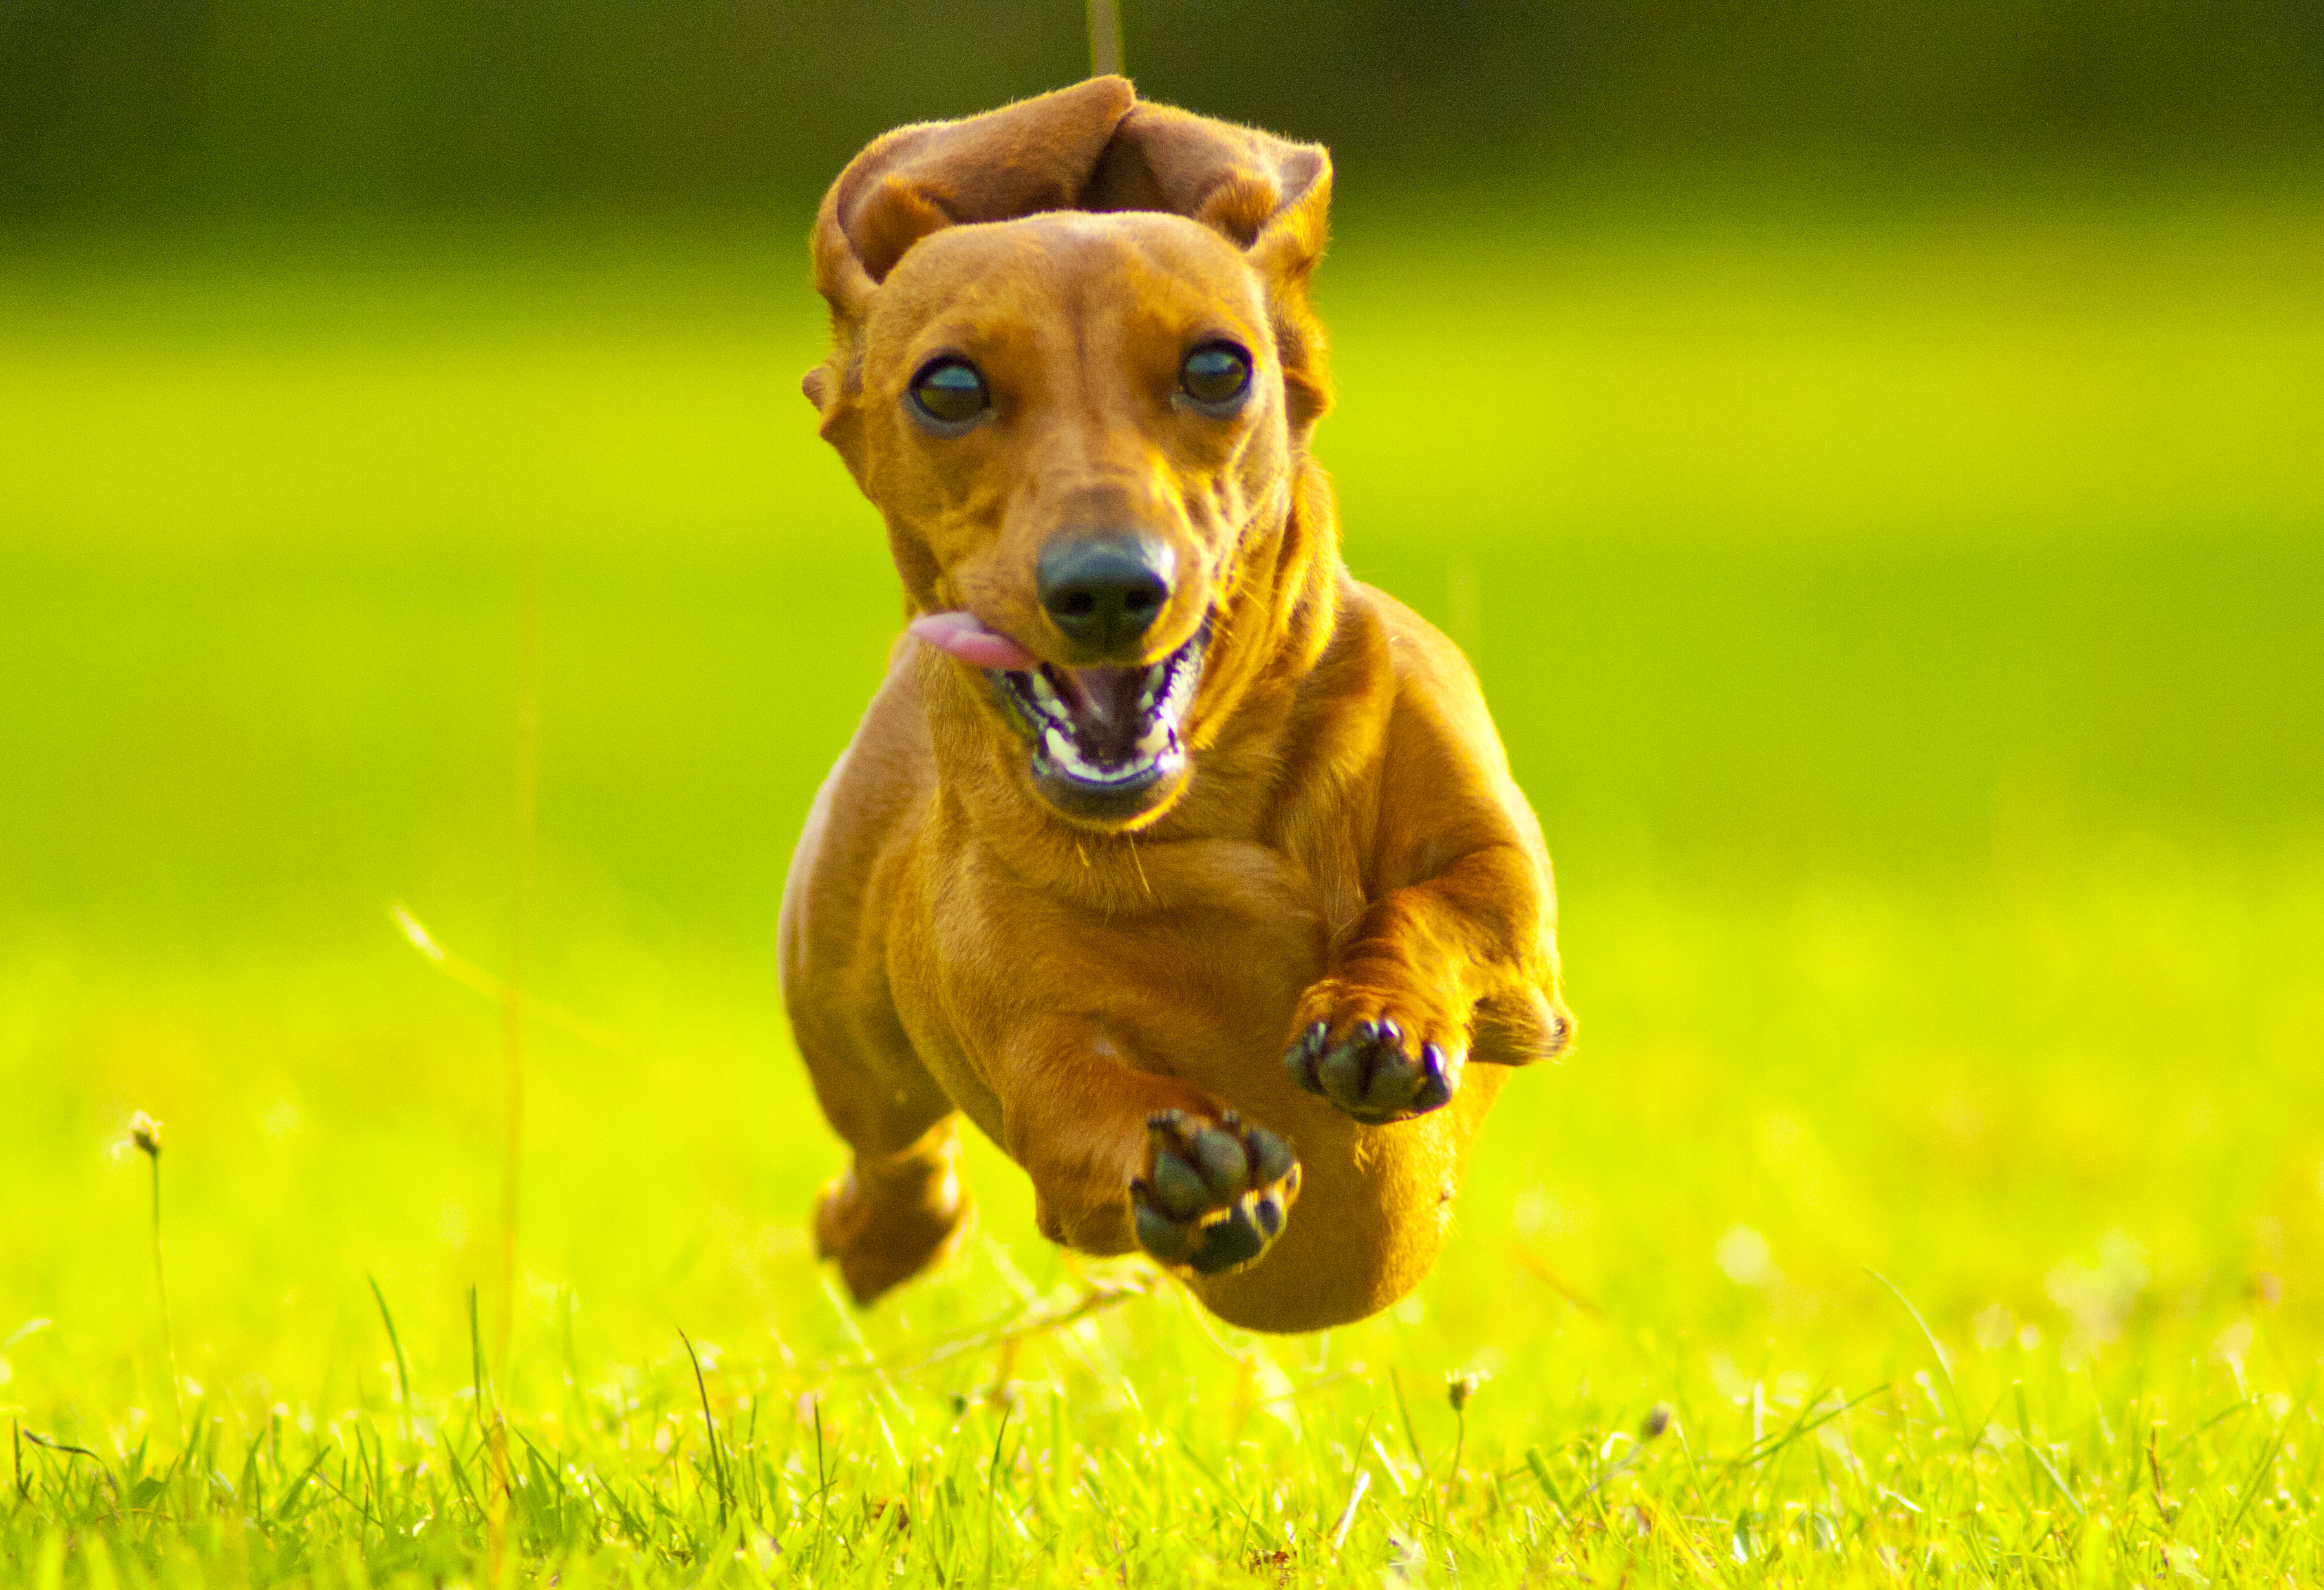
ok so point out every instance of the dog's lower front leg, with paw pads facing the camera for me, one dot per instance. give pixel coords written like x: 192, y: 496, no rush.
x: 1126, y: 1159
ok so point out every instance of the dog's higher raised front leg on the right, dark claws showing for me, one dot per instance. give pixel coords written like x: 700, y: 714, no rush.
x: 1428, y: 977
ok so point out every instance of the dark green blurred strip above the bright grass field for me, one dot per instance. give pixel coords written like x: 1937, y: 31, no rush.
x: 234, y: 108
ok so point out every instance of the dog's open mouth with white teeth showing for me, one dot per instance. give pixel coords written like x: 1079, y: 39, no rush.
x: 1107, y: 733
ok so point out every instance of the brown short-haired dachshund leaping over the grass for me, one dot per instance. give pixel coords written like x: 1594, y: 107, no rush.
x: 1172, y: 857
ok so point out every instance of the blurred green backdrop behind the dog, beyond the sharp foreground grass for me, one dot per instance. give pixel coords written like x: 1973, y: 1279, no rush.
x: 1870, y: 452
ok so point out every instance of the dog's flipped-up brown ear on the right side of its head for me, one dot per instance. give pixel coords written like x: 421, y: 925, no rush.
x: 1265, y: 194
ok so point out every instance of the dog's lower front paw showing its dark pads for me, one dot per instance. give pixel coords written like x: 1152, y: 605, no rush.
x: 1214, y: 1196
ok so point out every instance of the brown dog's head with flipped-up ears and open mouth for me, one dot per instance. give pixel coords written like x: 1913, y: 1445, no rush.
x: 1075, y: 368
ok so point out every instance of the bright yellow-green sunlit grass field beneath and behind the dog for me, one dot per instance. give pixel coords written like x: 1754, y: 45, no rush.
x: 1907, y: 629
